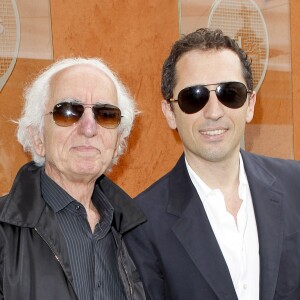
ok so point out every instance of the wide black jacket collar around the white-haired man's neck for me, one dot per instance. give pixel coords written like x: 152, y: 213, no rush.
x: 24, y: 204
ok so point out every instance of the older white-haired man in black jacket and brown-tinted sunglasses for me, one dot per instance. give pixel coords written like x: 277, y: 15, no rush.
x: 61, y: 225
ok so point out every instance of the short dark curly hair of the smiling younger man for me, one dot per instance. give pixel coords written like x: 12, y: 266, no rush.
x: 203, y: 39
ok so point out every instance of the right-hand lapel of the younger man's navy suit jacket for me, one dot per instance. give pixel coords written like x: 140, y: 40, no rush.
x: 267, y: 198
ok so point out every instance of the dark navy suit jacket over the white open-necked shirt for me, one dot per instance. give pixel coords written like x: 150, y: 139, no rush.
x: 178, y: 254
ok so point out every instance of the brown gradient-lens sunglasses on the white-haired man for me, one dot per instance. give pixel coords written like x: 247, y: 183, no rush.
x: 68, y: 113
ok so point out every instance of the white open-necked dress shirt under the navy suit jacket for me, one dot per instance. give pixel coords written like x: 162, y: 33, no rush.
x: 238, y: 240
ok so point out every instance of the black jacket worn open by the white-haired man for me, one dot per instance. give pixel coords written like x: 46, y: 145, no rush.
x: 34, y: 262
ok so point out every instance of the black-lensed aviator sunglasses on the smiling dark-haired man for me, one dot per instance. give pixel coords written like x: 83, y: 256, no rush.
x: 231, y: 94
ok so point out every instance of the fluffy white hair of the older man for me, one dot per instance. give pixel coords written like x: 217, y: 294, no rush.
x: 36, y: 96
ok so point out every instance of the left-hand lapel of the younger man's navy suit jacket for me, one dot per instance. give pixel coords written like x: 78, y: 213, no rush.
x: 194, y: 232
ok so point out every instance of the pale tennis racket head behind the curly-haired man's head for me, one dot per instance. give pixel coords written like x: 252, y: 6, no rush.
x: 243, y: 21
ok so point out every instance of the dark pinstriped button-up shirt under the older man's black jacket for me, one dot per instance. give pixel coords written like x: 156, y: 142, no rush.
x: 92, y: 255
